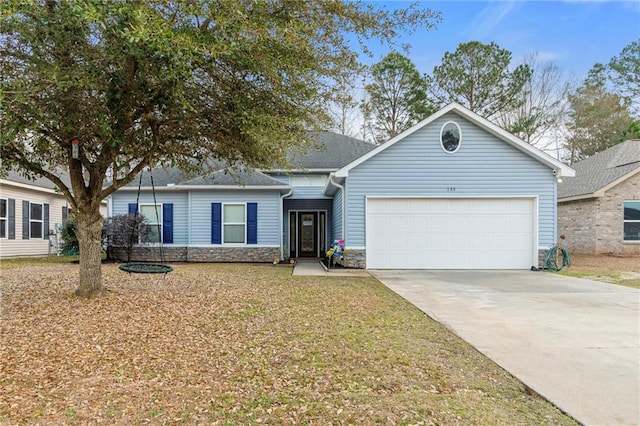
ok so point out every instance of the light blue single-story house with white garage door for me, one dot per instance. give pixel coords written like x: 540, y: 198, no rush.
x: 453, y: 192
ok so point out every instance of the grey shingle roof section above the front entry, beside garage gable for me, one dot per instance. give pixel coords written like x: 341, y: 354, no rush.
x: 329, y: 152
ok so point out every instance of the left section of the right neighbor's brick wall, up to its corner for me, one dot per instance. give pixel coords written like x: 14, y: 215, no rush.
x: 577, y: 222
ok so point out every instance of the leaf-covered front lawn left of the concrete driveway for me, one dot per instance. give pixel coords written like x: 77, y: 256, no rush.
x: 239, y: 344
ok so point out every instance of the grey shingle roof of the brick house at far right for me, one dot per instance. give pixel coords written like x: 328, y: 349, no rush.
x: 602, y: 171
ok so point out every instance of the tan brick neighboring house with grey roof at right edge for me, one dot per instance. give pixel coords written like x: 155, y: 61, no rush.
x: 599, y: 209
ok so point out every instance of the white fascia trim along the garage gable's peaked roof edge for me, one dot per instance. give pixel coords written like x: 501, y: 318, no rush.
x: 561, y: 168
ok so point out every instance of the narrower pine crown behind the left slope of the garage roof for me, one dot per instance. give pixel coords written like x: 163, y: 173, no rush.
x: 397, y: 97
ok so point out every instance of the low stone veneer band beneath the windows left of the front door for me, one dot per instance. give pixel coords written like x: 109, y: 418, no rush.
x: 197, y: 254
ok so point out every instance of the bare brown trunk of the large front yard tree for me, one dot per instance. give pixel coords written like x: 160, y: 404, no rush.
x: 90, y: 243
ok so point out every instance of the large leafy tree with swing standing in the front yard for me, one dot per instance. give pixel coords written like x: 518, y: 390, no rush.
x: 142, y: 83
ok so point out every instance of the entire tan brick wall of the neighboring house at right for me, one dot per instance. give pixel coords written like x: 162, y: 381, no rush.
x: 595, y: 225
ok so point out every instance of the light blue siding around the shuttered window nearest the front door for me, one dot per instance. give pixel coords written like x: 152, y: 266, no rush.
x: 268, y: 221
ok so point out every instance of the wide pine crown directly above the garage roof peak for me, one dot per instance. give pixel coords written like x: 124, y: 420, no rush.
x: 478, y: 77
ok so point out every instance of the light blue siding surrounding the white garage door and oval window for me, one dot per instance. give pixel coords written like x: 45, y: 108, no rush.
x: 417, y: 166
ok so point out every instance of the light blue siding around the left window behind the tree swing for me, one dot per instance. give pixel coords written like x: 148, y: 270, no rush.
x: 121, y: 200
